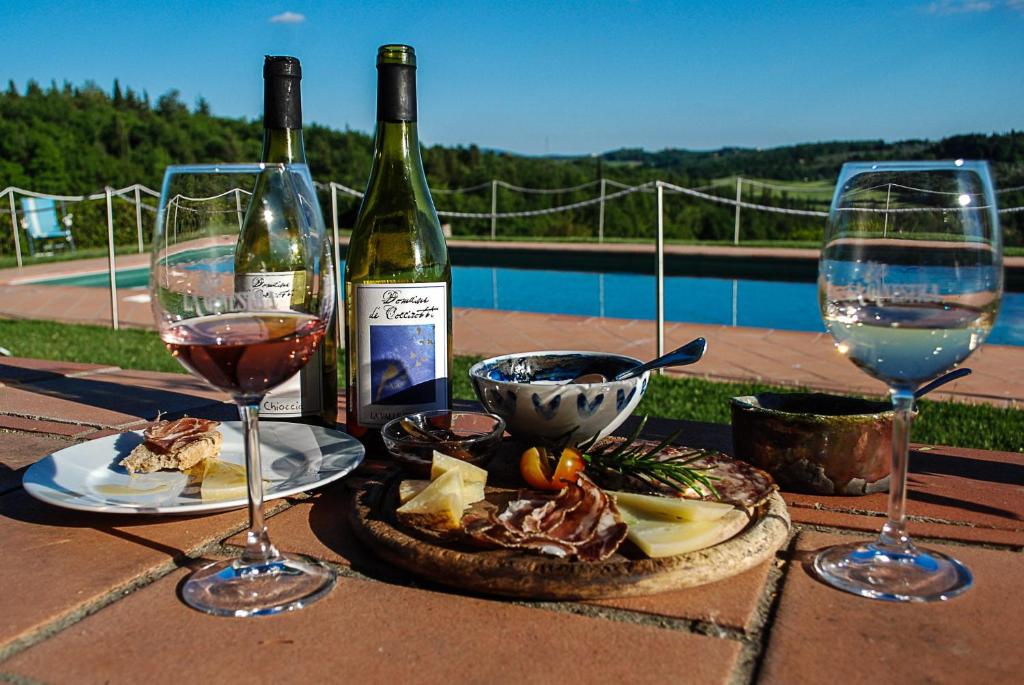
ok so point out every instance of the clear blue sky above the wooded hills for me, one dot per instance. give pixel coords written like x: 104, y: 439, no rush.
x: 566, y: 77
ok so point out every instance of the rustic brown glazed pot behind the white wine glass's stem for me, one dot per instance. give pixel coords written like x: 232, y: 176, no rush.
x: 815, y: 443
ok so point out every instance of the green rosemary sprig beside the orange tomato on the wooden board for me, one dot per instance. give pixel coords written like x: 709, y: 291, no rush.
x: 629, y: 459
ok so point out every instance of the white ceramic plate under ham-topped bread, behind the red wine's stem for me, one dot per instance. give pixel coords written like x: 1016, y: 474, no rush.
x: 296, y: 458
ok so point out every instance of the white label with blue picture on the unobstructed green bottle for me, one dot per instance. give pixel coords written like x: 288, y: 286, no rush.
x: 402, y: 351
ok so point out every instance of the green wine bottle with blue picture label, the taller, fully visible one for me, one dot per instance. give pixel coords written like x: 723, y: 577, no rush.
x: 398, y: 274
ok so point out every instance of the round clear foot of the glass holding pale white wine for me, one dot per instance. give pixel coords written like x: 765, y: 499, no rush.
x: 902, y: 575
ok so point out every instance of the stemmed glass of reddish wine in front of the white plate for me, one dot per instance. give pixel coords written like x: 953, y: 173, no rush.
x: 244, y: 339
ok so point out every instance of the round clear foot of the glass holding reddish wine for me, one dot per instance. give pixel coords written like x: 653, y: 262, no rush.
x: 283, y: 584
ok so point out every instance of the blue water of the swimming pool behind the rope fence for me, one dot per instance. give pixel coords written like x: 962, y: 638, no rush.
x: 770, y: 305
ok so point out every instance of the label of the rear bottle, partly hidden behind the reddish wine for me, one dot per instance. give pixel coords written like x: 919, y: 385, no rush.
x: 272, y: 291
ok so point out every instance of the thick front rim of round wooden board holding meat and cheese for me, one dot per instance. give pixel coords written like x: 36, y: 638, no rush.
x: 527, y: 576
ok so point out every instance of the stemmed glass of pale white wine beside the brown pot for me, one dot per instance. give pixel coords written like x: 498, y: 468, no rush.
x: 910, y: 285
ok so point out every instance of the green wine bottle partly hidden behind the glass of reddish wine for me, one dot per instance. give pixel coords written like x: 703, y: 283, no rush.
x: 269, y: 261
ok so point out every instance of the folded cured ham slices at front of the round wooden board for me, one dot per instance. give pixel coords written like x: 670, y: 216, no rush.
x: 580, y: 522
